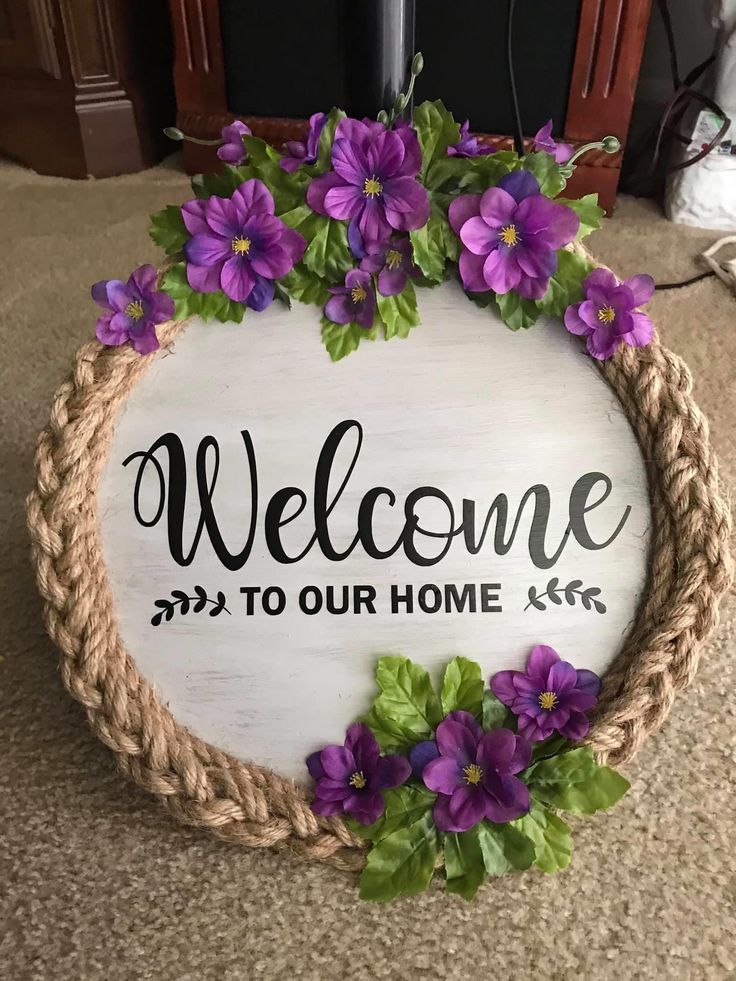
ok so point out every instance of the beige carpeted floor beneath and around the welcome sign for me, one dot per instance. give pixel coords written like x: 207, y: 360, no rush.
x: 96, y: 882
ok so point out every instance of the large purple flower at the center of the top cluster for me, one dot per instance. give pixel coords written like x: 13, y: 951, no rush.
x: 374, y: 180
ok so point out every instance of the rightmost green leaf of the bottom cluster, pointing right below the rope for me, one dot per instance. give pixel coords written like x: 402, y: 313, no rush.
x: 574, y: 782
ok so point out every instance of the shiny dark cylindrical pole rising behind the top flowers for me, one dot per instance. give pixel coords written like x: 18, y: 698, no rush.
x: 379, y: 49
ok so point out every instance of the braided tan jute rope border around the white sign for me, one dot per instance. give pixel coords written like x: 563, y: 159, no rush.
x: 690, y: 568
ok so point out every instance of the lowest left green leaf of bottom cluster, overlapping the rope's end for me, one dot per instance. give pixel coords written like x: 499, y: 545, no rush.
x: 402, y: 863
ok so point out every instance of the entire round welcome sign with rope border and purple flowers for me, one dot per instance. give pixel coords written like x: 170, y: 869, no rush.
x: 396, y: 606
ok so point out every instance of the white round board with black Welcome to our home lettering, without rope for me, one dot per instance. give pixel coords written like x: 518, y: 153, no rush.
x: 467, y: 492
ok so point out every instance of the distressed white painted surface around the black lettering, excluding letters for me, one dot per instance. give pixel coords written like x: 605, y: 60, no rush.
x: 463, y: 404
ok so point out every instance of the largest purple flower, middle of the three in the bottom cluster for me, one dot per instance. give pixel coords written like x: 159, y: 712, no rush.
x: 473, y: 775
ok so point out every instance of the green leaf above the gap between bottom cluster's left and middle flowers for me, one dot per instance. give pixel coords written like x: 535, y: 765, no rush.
x: 407, y: 709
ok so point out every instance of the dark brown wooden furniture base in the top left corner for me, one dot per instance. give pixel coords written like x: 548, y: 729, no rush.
x: 85, y: 85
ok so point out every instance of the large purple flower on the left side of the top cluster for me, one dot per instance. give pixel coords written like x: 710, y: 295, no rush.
x: 238, y: 245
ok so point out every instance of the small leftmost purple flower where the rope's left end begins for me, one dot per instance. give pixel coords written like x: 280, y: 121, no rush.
x: 132, y: 310
